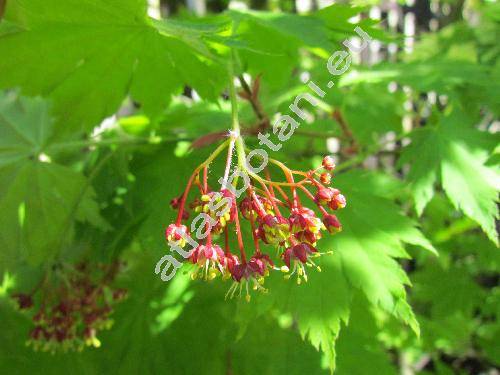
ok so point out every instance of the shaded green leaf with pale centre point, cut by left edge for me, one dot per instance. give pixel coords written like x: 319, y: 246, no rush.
x: 38, y: 200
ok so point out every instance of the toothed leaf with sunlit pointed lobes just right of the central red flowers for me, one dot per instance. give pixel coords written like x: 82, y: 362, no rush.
x: 373, y: 237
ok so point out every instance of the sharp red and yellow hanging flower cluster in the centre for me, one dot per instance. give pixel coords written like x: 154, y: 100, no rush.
x: 276, y: 215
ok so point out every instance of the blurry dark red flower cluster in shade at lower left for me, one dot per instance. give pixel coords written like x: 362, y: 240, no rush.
x: 71, y: 314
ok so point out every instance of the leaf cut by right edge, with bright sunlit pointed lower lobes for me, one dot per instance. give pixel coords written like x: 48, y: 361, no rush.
x: 455, y: 154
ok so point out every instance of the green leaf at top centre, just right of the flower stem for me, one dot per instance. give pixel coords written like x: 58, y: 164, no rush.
x: 269, y: 41
